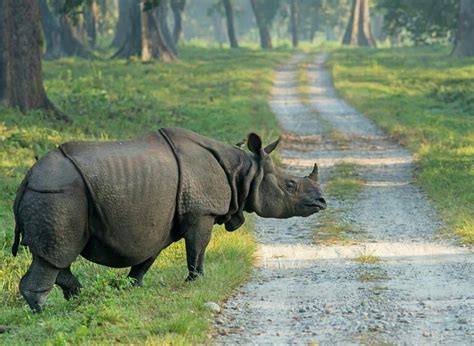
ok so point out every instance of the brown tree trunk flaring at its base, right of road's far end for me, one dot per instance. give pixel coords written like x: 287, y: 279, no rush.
x: 358, y: 31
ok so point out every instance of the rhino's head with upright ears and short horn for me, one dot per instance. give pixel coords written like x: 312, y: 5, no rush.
x: 277, y: 194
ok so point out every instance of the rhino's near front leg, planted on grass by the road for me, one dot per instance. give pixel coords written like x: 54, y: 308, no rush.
x: 197, y: 235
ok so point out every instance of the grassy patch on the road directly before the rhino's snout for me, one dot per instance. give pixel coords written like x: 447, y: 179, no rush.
x: 344, y: 185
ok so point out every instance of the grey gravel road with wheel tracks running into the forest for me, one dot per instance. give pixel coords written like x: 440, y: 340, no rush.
x: 422, y: 289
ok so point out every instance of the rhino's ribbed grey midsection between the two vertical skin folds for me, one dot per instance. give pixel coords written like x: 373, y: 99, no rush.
x: 133, y: 186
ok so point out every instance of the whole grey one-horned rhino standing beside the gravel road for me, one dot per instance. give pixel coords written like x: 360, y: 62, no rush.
x: 120, y: 203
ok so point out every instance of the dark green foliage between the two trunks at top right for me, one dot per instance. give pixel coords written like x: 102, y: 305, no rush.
x: 423, y: 21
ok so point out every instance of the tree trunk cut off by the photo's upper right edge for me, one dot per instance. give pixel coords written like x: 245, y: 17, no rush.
x: 465, y: 34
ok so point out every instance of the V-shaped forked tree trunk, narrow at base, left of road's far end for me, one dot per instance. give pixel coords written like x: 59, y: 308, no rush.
x: 265, y: 11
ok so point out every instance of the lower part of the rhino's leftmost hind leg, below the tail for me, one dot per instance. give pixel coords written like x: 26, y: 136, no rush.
x: 37, y: 282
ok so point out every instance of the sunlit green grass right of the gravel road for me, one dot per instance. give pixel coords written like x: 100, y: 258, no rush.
x: 425, y: 98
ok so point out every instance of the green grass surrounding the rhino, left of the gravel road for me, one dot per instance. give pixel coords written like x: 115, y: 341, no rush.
x: 220, y: 93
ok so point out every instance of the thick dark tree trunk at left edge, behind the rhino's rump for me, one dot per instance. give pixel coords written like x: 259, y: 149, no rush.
x: 21, y: 80
